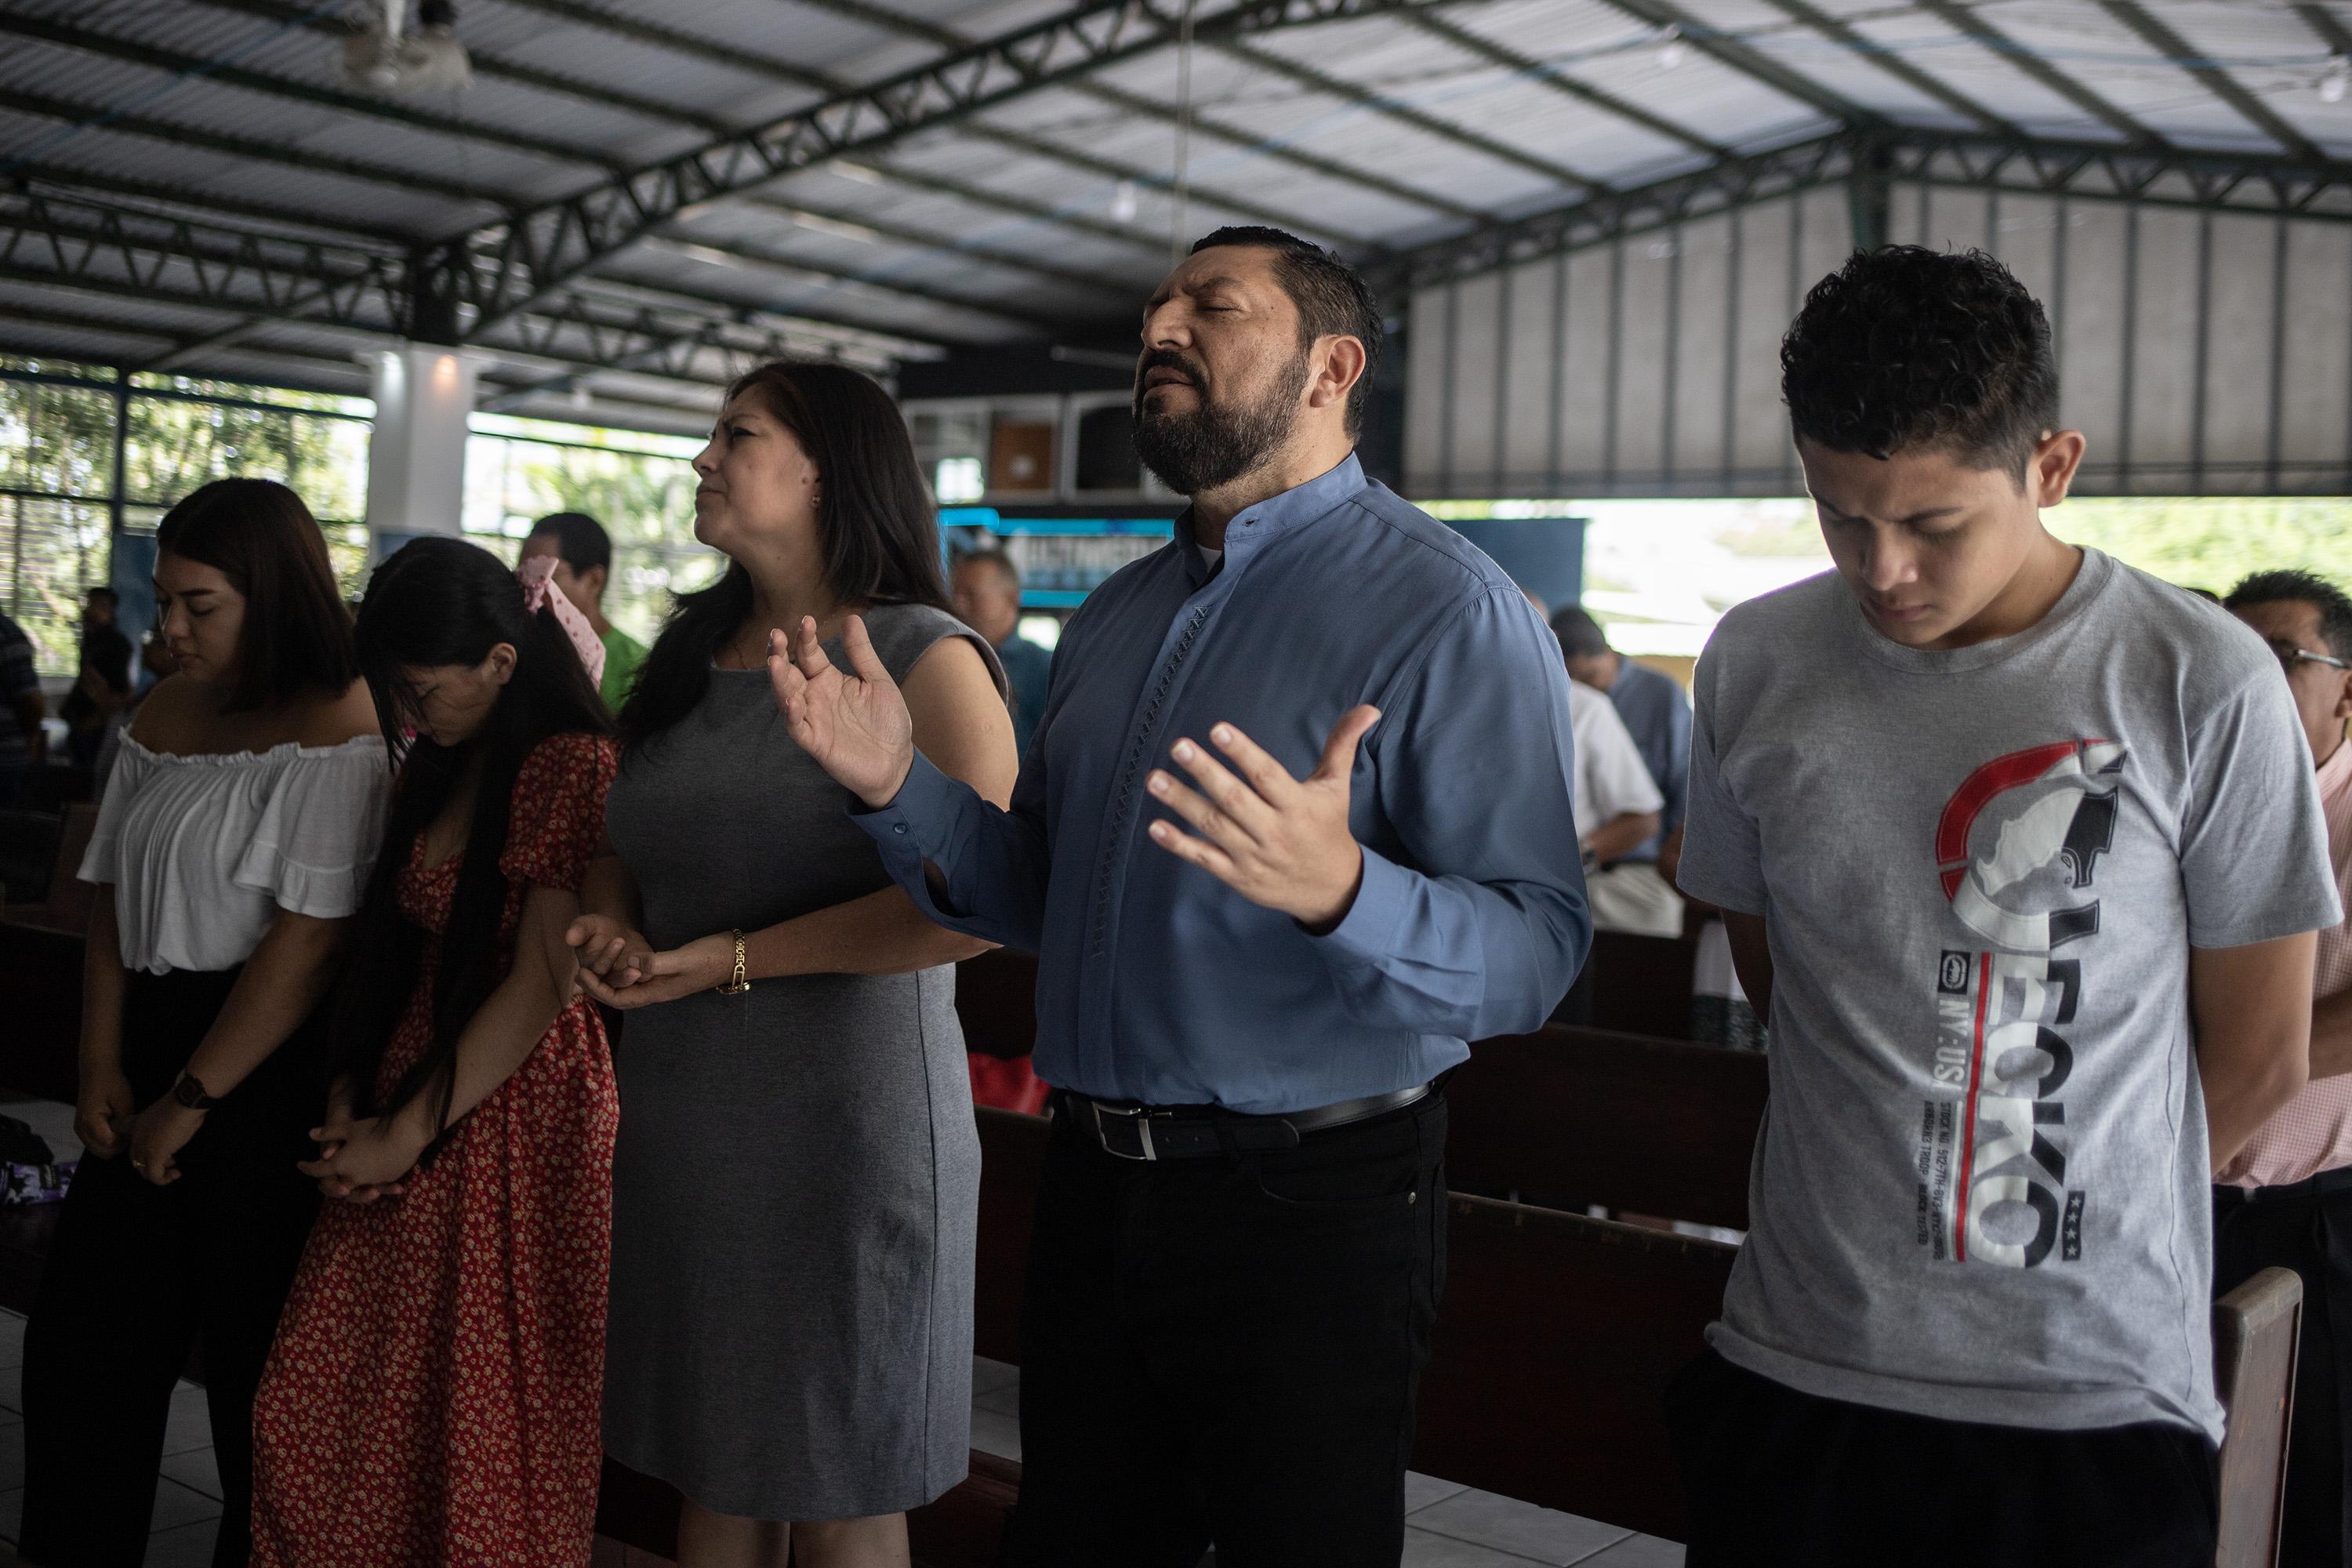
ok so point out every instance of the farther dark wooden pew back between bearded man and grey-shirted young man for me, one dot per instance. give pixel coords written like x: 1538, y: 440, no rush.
x: 1575, y: 1118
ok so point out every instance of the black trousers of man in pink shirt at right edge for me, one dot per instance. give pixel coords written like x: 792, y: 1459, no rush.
x: 2304, y: 1228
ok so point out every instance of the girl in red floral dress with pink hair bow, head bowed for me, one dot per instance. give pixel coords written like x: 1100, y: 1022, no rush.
x: 434, y: 1393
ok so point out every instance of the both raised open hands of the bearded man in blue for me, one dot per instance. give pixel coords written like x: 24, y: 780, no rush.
x: 1276, y: 840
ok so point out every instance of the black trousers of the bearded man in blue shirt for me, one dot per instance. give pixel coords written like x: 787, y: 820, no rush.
x: 1224, y: 1351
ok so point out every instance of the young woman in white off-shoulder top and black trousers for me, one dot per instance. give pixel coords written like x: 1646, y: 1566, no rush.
x: 232, y: 850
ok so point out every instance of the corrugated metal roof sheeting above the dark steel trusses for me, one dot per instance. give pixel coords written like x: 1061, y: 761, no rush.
x: 1375, y: 133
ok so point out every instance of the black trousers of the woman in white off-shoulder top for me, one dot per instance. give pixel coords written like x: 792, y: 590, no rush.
x: 140, y: 1275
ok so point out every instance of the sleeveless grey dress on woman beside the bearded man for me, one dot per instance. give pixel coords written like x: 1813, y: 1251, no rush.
x: 799, y: 1170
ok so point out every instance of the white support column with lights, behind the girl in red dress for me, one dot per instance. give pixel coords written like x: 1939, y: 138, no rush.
x: 417, y: 450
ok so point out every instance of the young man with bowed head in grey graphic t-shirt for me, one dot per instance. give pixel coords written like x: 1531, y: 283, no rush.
x: 2022, y: 852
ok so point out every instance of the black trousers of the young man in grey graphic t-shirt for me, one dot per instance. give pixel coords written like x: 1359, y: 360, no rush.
x: 1786, y: 1477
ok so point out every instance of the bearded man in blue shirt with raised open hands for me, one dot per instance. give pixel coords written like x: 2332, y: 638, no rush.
x: 1292, y: 831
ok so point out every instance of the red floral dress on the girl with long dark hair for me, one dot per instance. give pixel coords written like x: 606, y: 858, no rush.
x: 434, y: 1393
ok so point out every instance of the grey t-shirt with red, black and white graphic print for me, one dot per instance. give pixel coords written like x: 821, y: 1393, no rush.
x: 1982, y: 1184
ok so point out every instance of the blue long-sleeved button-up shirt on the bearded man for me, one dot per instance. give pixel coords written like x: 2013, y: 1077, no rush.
x: 1161, y: 984
